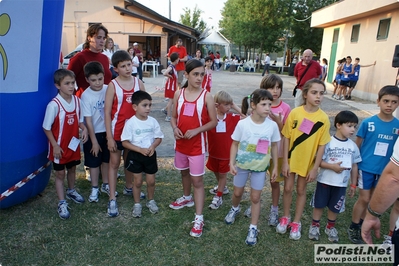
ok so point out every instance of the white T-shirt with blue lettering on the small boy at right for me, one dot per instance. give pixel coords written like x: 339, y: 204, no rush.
x: 345, y: 151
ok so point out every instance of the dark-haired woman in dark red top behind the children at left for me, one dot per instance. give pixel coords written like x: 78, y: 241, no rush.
x: 92, y: 51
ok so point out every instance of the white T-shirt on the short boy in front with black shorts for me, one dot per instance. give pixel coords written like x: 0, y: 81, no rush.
x: 141, y: 133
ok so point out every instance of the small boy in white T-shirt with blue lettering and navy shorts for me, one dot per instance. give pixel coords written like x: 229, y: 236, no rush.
x: 339, y: 163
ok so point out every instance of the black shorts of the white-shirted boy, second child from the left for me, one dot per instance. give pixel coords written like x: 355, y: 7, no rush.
x: 103, y: 155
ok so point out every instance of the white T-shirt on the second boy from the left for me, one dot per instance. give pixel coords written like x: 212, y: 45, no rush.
x: 93, y: 106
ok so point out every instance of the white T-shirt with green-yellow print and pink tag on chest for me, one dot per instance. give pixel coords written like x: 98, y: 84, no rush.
x: 254, y: 148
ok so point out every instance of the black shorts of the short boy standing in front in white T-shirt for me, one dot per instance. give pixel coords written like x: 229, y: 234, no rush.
x: 138, y: 163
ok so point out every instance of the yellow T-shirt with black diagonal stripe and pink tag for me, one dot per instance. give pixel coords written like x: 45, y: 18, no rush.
x: 306, y: 132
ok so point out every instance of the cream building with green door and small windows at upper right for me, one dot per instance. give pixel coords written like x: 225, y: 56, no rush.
x: 361, y: 28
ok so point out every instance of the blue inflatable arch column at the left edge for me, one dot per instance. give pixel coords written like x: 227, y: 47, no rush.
x: 30, y: 42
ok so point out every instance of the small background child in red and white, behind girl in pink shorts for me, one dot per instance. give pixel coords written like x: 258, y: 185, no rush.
x: 171, y: 84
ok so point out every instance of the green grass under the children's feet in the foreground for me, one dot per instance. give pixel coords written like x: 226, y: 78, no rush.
x: 33, y: 234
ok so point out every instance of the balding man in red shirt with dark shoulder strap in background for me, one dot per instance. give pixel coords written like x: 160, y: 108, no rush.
x: 305, y: 70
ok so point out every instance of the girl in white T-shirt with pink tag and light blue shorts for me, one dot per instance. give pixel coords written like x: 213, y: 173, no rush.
x: 254, y: 142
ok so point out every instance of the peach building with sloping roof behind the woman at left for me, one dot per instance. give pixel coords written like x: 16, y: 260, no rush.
x: 127, y: 22
